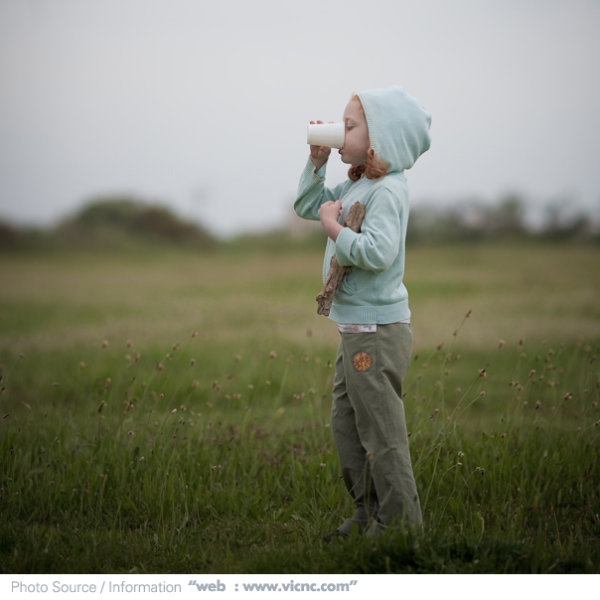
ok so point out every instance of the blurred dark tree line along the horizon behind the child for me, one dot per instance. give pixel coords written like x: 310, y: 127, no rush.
x: 121, y: 222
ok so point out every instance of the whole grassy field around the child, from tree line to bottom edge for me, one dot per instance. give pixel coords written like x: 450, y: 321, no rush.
x: 168, y: 411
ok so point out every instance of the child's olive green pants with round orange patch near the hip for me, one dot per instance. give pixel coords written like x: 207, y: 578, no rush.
x: 369, y: 428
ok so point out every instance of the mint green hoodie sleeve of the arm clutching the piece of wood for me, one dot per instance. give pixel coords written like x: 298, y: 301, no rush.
x: 377, y: 245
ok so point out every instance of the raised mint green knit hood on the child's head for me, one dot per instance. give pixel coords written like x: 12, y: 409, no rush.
x: 398, y: 126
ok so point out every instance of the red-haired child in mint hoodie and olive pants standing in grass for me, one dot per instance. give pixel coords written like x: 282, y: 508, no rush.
x: 386, y: 130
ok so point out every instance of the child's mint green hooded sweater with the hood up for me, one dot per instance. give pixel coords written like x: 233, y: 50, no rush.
x: 373, y: 291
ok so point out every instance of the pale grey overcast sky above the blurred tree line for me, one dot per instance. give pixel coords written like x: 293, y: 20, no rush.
x: 203, y: 105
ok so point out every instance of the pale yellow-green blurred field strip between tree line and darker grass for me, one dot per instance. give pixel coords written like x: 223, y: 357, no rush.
x: 515, y: 290
